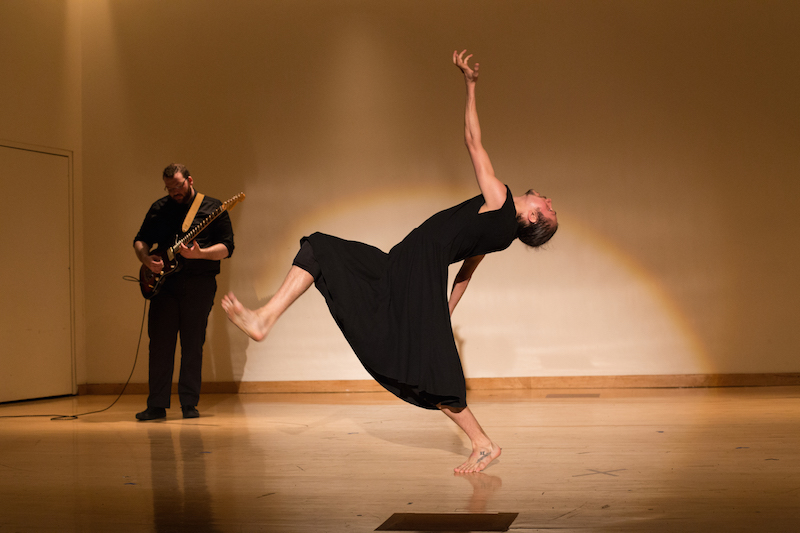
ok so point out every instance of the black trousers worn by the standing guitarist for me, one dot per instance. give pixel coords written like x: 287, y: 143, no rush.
x: 180, y: 308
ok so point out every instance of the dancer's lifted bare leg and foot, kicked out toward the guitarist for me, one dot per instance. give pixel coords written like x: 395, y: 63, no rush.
x: 257, y: 323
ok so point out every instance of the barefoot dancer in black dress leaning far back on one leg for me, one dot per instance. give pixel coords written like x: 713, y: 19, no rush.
x: 393, y: 308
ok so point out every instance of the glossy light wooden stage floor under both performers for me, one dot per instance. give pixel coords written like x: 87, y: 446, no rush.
x: 724, y: 459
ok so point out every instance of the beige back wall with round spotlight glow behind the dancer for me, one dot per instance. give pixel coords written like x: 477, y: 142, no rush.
x: 666, y: 132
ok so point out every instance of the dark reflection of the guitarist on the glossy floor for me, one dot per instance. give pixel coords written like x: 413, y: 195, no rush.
x: 181, y: 499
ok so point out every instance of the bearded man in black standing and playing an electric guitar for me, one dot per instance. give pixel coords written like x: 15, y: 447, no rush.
x: 183, y: 303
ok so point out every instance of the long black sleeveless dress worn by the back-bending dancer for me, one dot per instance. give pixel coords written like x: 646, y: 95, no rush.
x: 393, y: 308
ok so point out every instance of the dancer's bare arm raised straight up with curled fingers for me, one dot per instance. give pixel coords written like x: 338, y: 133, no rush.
x: 493, y: 190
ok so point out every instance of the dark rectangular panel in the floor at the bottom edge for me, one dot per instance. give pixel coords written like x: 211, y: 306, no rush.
x: 448, y: 522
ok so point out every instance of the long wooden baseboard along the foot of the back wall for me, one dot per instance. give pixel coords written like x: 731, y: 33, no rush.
x: 523, y: 383
